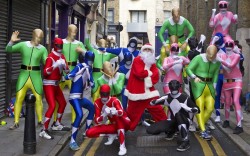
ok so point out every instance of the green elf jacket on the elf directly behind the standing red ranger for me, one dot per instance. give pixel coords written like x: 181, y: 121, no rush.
x: 69, y: 51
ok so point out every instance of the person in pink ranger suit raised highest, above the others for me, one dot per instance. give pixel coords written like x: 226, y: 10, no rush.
x: 221, y: 22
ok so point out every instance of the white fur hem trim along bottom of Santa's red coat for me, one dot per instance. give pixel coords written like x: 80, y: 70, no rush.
x: 143, y: 96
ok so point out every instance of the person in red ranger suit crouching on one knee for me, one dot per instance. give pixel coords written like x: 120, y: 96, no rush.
x: 107, y: 107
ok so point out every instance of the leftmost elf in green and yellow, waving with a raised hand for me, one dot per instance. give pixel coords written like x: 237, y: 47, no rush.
x: 32, y: 54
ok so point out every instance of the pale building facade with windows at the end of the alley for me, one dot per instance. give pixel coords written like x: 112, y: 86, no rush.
x: 139, y: 18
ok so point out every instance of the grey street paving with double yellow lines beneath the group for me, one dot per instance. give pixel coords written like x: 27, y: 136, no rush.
x: 137, y: 142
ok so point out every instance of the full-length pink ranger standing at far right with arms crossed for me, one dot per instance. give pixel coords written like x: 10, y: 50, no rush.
x: 232, y: 84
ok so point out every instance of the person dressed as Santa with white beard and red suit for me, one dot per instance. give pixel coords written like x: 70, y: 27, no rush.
x: 140, y: 88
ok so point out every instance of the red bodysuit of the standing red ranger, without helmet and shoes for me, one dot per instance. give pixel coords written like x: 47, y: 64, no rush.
x: 54, y: 66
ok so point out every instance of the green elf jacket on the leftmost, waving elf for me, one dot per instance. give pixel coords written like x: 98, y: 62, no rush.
x: 31, y: 56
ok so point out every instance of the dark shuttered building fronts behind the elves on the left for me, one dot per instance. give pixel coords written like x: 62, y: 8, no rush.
x: 52, y: 16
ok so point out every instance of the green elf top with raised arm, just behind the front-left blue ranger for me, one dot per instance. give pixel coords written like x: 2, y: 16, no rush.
x: 100, y: 58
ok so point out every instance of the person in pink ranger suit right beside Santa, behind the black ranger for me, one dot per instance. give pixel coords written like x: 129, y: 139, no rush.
x: 173, y: 66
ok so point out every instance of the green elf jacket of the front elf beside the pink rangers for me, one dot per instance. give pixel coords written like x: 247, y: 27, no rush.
x: 200, y: 66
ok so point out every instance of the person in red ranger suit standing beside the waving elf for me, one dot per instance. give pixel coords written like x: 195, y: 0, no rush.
x: 54, y: 66
